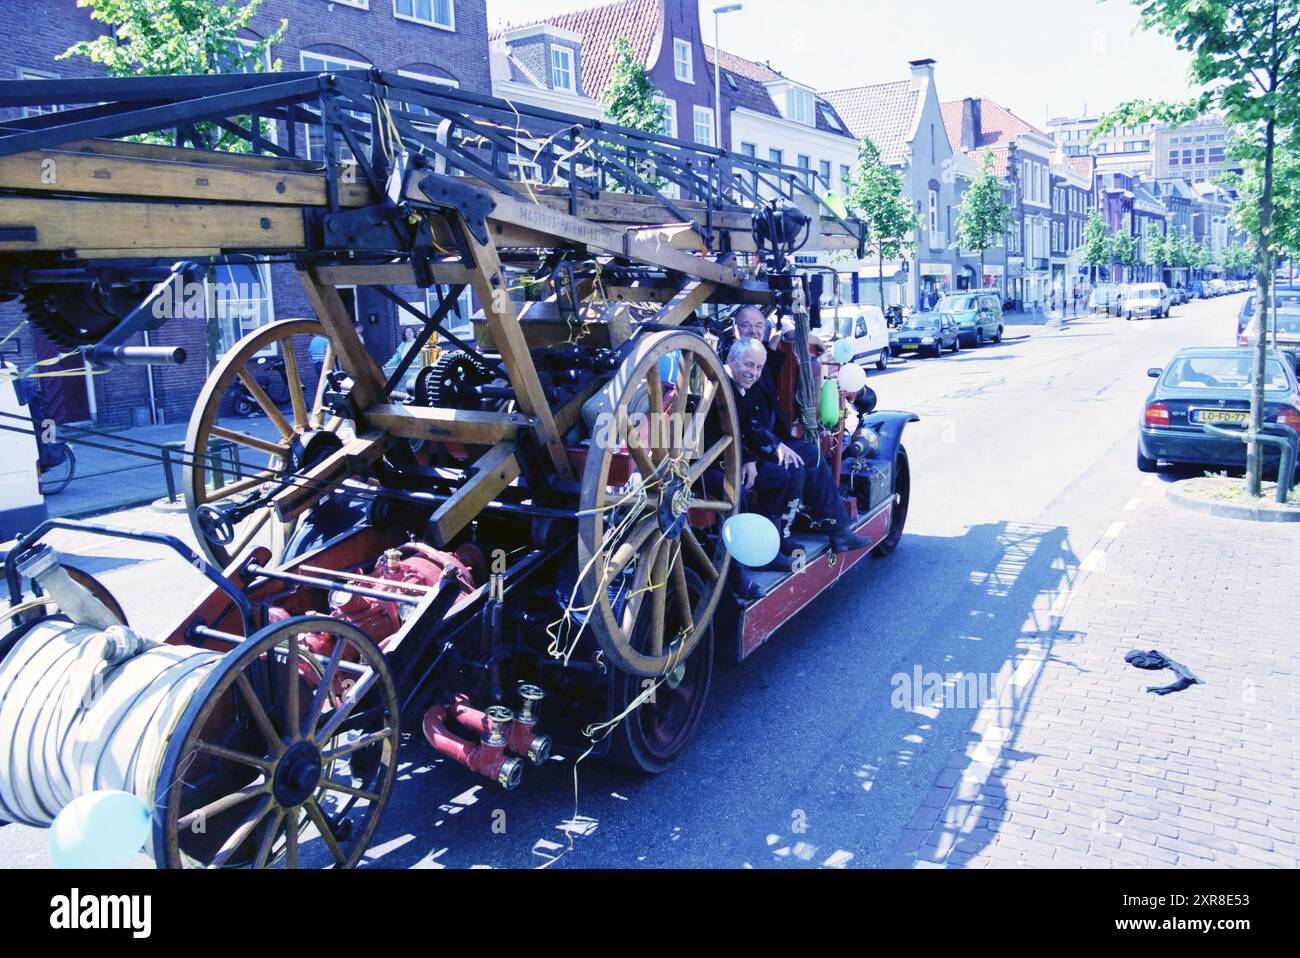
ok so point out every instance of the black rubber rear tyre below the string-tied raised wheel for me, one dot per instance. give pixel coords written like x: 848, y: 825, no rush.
x: 657, y: 732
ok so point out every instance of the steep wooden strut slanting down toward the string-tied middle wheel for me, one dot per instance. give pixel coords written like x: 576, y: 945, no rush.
x: 492, y: 289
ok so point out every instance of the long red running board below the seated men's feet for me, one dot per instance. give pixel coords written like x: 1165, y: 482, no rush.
x: 787, y: 593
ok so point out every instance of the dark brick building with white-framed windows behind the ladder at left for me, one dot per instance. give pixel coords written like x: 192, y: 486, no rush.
x: 436, y: 41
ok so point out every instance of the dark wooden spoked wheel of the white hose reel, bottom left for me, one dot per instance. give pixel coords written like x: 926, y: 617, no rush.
x: 285, y: 758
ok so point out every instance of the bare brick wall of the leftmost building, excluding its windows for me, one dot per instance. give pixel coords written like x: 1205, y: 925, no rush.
x: 34, y: 32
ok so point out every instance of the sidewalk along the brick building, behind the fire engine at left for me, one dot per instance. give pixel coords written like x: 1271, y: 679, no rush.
x: 123, y: 469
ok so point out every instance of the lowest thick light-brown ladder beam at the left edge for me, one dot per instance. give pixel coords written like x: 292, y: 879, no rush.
x: 89, y: 226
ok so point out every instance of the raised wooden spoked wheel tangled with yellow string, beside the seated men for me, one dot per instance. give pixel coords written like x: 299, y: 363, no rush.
x: 665, y: 458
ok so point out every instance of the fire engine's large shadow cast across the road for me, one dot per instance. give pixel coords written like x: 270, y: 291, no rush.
x: 825, y: 723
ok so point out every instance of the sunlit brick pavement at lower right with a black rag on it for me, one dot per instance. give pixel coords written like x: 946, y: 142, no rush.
x: 1078, y: 766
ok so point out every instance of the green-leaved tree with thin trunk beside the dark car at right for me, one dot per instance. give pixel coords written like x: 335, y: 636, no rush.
x: 1246, y: 59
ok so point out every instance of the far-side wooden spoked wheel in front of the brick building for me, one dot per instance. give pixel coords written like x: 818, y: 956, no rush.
x: 232, y: 405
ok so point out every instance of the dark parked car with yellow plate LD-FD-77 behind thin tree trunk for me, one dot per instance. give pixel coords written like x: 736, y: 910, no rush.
x: 1212, y: 385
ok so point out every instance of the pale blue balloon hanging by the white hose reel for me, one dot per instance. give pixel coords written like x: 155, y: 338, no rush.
x: 102, y: 830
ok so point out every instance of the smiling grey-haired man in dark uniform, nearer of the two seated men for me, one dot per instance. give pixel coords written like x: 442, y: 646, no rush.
x: 782, y: 473
